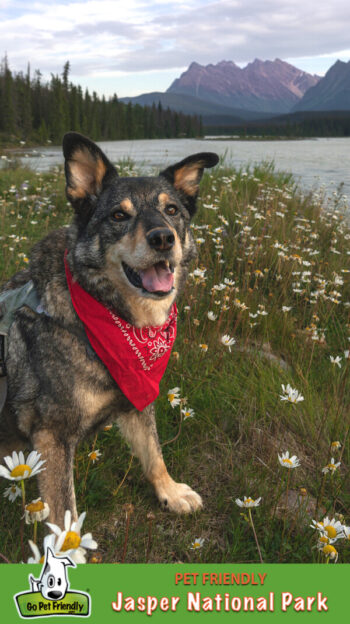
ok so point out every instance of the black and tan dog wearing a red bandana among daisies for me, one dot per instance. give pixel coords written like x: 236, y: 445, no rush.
x: 127, y: 252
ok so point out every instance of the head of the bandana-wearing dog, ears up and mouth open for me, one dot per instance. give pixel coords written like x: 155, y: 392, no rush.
x: 131, y: 243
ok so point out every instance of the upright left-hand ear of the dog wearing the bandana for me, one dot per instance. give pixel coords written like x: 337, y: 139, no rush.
x: 87, y: 168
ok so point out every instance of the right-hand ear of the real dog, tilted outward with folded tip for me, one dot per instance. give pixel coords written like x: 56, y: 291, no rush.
x: 186, y: 175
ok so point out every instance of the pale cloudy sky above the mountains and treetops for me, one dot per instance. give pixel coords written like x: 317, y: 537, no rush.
x: 131, y: 47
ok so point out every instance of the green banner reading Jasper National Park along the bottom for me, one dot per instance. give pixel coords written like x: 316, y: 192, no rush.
x: 185, y: 592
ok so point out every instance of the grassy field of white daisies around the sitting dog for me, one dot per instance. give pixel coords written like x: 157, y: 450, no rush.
x: 254, y: 409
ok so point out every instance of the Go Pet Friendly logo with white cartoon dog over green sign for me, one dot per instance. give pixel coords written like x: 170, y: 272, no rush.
x: 49, y: 594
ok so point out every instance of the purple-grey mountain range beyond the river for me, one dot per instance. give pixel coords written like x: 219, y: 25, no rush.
x: 227, y: 93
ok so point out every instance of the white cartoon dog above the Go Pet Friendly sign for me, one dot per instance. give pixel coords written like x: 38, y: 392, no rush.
x: 53, y: 582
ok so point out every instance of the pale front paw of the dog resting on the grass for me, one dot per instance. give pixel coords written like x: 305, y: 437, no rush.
x: 178, y: 497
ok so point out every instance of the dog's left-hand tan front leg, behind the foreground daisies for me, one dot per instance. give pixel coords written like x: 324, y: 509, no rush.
x: 56, y: 482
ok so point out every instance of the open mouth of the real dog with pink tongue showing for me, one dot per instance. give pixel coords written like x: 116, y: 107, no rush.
x: 158, y: 279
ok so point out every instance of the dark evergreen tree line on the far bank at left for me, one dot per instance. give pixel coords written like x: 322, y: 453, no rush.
x: 36, y: 111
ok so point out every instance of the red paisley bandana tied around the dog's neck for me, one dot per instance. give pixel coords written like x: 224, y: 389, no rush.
x: 136, y: 358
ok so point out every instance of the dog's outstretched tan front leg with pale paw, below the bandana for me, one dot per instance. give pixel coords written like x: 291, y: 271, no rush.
x: 139, y: 429
